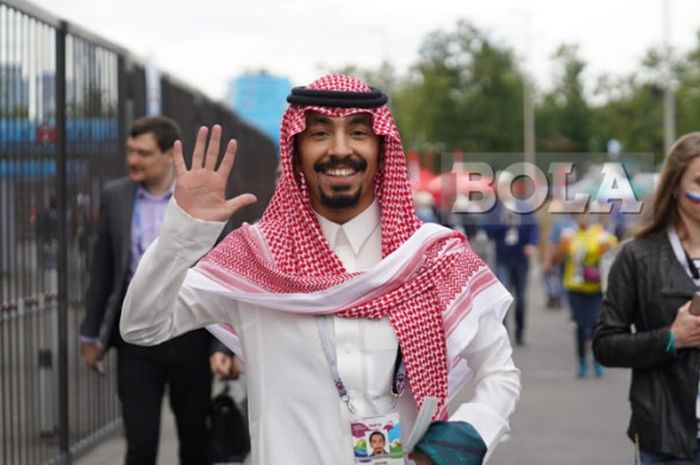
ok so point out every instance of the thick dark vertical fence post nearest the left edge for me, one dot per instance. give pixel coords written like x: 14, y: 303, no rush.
x: 61, y: 195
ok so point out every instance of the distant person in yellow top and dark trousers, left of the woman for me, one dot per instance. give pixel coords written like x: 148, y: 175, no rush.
x: 582, y: 250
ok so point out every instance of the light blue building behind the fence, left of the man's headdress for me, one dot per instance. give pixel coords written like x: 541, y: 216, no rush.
x: 260, y: 99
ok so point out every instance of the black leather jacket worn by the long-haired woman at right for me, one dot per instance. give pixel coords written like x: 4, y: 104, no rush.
x: 646, y: 286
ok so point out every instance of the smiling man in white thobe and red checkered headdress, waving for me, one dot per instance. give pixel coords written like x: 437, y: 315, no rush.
x: 337, y: 295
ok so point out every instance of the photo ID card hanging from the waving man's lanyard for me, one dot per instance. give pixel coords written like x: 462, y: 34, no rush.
x: 377, y: 440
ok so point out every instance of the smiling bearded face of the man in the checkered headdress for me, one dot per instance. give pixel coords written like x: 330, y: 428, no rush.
x: 339, y: 158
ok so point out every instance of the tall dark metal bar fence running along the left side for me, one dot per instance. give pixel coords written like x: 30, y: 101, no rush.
x: 66, y: 99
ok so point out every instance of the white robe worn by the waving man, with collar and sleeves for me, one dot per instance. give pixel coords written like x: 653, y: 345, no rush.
x: 296, y: 416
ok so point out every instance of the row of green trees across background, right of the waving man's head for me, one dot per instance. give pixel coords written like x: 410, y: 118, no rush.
x: 465, y: 91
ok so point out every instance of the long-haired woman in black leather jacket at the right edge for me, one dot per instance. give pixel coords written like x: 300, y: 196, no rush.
x: 646, y: 323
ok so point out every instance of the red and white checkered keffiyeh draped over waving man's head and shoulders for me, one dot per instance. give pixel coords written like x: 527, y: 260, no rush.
x: 433, y: 288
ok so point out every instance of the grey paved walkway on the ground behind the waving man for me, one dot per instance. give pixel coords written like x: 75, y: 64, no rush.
x: 560, y: 420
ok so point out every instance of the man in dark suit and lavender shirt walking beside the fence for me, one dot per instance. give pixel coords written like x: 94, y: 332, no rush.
x: 131, y: 212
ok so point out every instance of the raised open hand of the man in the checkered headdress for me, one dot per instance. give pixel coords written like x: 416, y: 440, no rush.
x: 201, y: 190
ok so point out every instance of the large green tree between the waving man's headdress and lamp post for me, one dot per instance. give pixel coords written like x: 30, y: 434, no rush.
x: 466, y: 92
